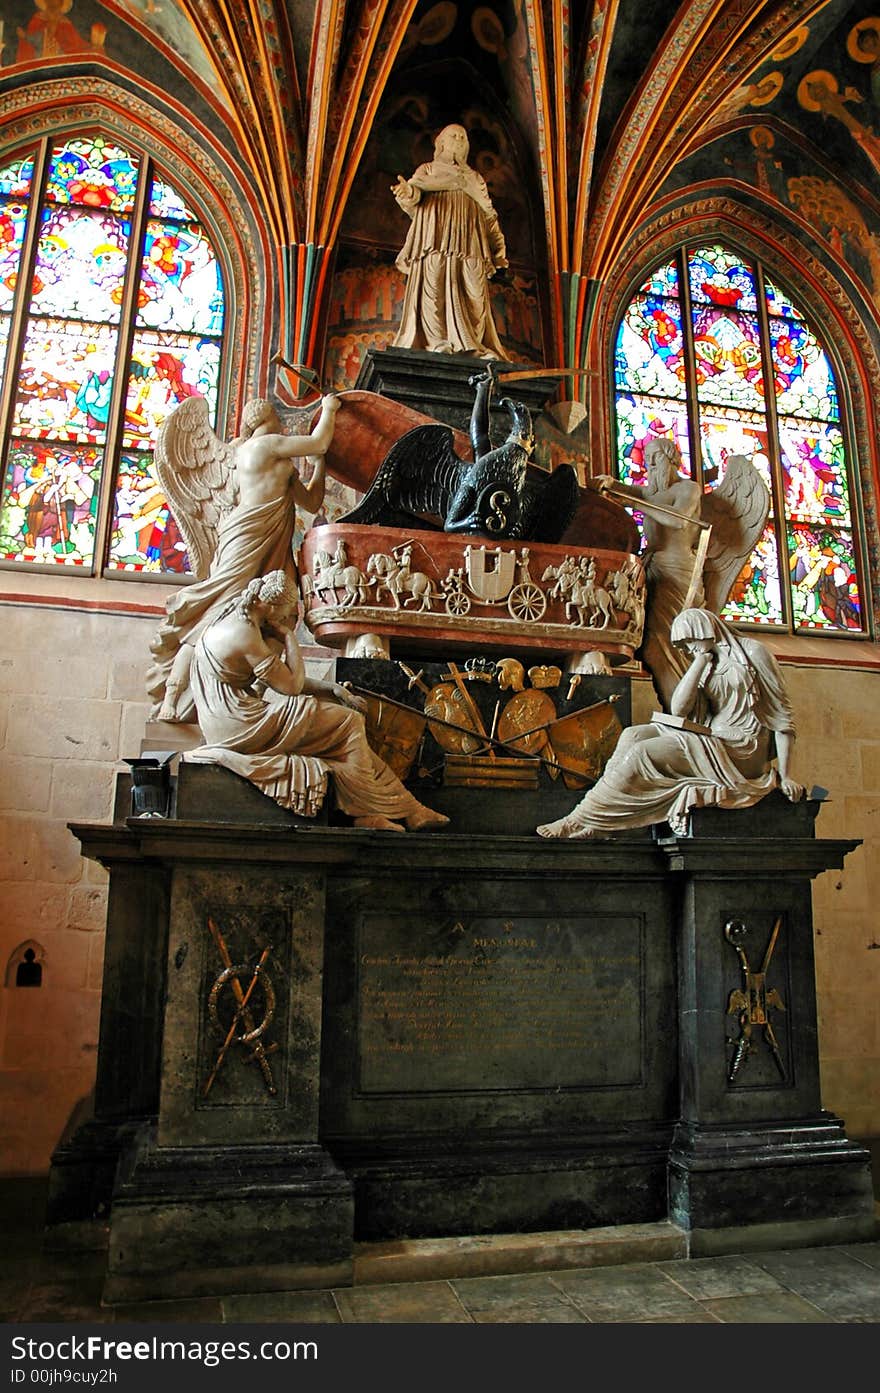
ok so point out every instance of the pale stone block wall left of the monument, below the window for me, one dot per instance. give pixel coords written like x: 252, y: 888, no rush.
x: 72, y: 706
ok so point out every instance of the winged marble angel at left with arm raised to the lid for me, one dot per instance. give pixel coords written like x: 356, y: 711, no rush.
x: 236, y: 506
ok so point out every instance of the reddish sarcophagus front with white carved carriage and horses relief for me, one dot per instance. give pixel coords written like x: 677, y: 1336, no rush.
x: 367, y: 580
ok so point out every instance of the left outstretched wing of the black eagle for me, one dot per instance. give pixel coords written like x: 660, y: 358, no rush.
x: 417, y: 480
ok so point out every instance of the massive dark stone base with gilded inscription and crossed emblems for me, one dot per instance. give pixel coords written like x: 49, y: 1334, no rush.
x: 315, y: 1036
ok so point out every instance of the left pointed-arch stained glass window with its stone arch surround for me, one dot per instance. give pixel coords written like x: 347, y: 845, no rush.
x: 80, y: 487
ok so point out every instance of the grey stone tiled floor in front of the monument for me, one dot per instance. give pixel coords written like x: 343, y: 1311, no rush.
x: 829, y: 1285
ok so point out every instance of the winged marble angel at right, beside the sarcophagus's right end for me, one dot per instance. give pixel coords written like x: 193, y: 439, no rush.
x: 696, y: 545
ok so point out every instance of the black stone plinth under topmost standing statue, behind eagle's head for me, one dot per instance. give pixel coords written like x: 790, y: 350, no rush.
x: 437, y: 384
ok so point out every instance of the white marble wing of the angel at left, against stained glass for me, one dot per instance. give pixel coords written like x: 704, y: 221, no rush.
x: 198, y: 477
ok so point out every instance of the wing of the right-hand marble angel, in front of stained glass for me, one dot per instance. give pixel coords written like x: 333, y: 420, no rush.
x: 737, y: 512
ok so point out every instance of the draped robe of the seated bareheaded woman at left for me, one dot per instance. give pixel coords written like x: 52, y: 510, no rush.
x: 288, y: 746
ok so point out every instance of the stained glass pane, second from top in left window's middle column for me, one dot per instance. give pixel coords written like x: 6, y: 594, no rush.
x: 80, y: 268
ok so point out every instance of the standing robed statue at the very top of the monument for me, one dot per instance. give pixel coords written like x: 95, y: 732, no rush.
x: 453, y: 247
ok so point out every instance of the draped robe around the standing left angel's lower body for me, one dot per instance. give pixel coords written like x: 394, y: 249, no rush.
x: 251, y: 541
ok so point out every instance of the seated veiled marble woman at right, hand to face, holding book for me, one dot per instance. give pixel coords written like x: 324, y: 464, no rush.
x: 736, y: 719
